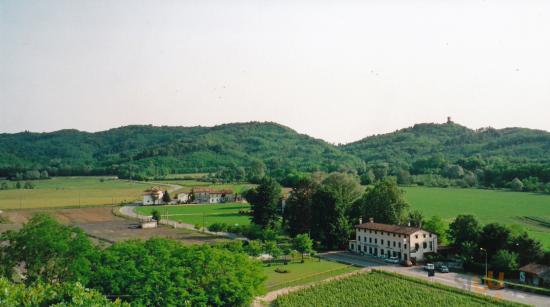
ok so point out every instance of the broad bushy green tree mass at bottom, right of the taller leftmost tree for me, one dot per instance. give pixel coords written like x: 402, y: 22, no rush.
x: 163, y: 272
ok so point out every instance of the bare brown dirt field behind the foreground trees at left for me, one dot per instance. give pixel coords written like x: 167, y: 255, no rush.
x: 101, y: 224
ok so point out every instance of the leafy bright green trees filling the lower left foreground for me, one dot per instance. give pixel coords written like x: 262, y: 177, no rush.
x: 157, y: 272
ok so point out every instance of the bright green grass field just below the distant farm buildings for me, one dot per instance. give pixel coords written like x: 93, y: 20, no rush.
x: 197, y: 214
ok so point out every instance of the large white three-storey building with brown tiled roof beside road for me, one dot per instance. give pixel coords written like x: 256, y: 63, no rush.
x: 384, y: 240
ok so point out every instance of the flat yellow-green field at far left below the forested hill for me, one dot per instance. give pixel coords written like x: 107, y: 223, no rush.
x: 72, y: 192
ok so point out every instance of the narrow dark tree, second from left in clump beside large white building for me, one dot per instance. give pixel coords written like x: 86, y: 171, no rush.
x: 297, y: 211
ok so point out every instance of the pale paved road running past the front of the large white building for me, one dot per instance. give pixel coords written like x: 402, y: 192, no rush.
x: 458, y: 280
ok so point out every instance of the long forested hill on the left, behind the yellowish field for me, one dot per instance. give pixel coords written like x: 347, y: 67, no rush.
x: 136, y: 151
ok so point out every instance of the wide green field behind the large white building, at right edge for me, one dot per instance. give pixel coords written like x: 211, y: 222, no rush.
x: 529, y: 210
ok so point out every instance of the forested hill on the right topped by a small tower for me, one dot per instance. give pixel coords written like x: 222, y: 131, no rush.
x: 489, y: 157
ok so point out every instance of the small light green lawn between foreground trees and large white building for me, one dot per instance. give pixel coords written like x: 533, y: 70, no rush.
x: 311, y: 270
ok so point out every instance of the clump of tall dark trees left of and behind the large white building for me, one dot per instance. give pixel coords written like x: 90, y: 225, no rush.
x: 327, y: 207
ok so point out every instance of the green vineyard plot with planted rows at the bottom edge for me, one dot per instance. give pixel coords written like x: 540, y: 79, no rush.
x: 380, y: 288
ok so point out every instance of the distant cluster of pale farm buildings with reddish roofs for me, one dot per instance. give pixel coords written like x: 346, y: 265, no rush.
x: 154, y: 196
